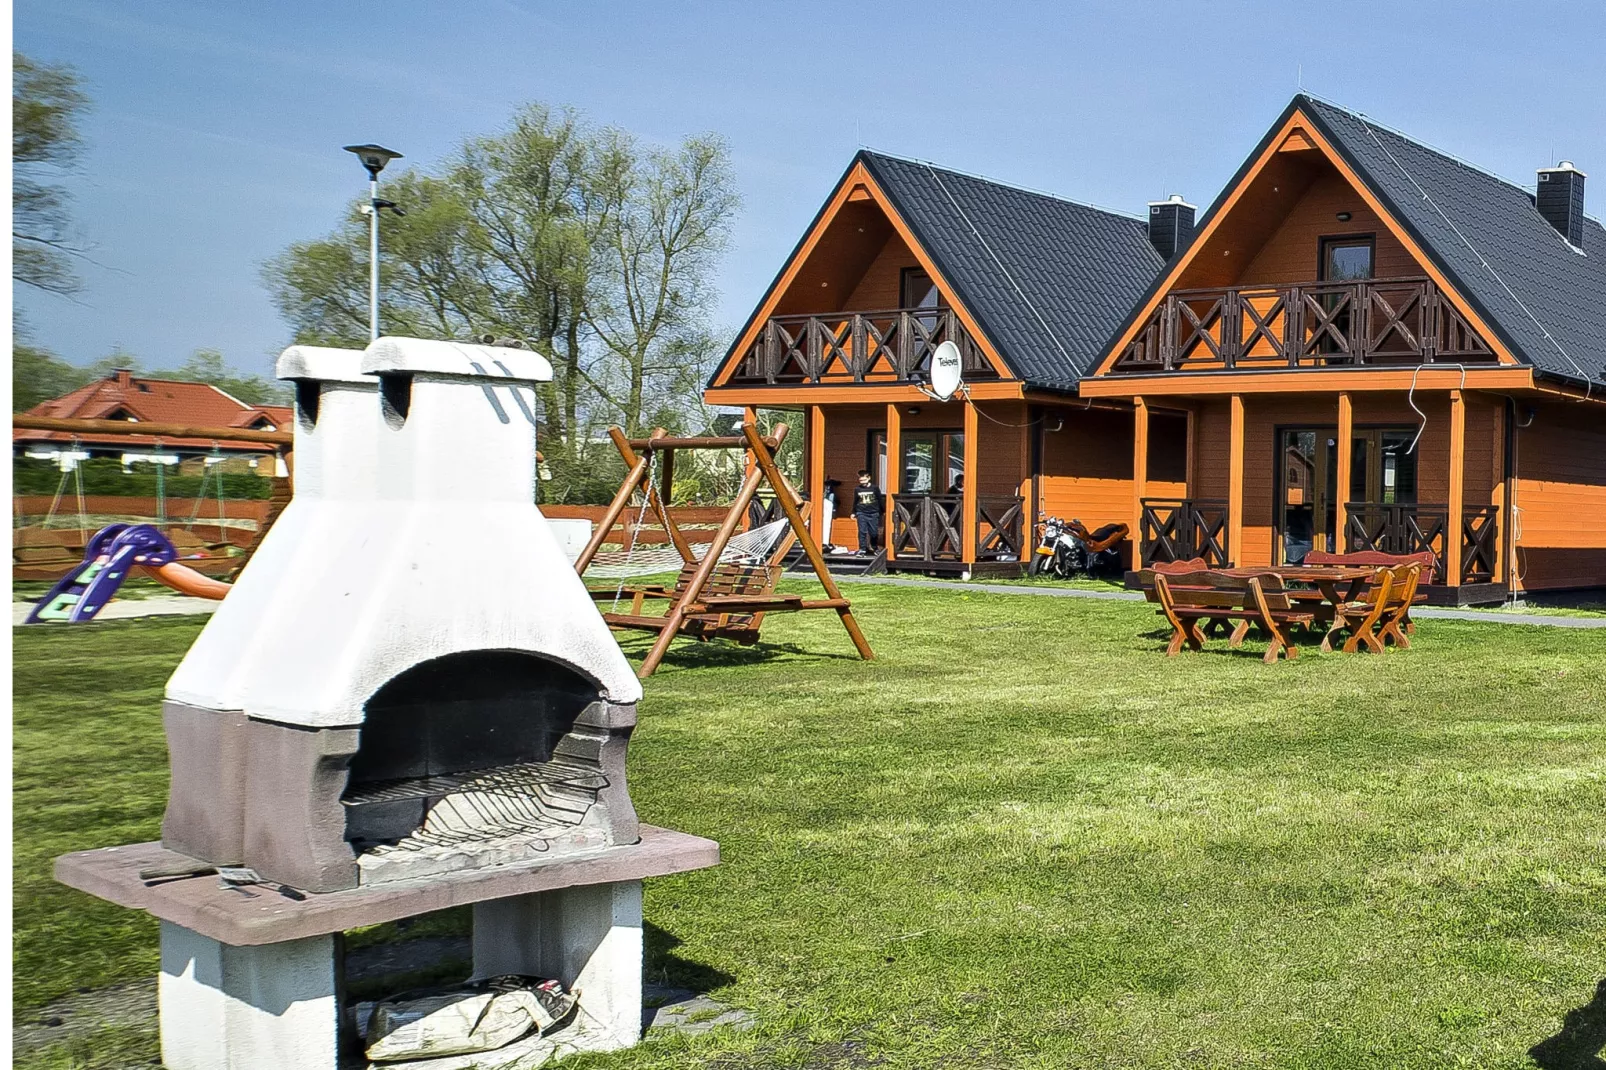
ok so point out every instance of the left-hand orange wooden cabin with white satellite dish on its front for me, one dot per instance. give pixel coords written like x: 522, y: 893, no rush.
x: 905, y: 256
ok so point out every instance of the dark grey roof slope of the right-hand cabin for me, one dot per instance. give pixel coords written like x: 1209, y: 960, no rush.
x: 1546, y: 298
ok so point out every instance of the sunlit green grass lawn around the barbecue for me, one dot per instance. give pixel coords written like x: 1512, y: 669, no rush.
x: 1019, y: 838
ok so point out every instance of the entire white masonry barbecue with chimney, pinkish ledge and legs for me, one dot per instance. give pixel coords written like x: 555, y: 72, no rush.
x: 407, y: 701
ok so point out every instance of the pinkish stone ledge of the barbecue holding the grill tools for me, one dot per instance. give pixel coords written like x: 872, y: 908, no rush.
x: 267, y: 917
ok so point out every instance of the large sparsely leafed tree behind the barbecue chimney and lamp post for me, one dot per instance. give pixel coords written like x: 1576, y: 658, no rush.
x: 597, y: 253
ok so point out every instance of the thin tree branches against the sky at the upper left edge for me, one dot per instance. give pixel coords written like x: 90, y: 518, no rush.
x: 47, y: 104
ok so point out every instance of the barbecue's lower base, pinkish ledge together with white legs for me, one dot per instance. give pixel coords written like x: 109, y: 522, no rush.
x: 251, y: 976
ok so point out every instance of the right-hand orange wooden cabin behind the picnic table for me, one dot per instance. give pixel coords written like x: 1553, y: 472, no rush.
x: 1376, y: 346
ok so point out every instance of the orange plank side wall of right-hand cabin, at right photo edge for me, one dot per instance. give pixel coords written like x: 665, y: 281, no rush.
x: 1562, y: 496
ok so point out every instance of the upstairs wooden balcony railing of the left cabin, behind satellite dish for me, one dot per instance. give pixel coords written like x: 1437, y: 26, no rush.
x: 891, y: 346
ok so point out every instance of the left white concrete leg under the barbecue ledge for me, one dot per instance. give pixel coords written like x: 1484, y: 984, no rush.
x: 267, y: 1008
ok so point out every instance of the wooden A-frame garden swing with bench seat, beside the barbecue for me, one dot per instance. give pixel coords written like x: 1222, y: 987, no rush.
x: 717, y: 595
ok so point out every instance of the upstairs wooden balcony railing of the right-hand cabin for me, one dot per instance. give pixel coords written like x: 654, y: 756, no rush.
x: 1310, y: 325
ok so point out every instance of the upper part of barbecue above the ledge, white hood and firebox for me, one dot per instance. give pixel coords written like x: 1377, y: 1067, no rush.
x: 423, y: 682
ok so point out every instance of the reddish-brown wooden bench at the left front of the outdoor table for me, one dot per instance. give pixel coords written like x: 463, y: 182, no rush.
x: 1188, y: 600
